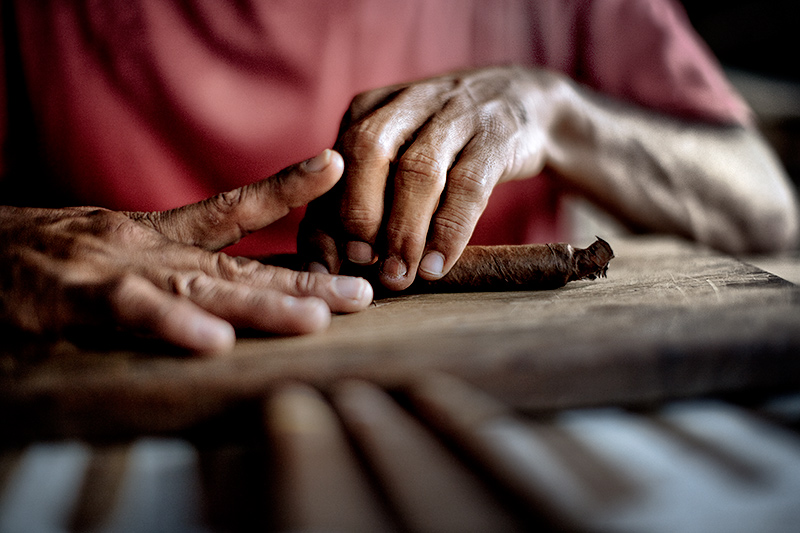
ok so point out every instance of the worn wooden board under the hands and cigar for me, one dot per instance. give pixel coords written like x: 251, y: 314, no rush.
x: 671, y: 320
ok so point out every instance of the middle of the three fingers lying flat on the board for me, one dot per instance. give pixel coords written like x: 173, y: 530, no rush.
x: 244, y: 306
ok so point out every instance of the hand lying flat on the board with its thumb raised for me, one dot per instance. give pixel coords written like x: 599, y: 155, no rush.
x: 159, y: 273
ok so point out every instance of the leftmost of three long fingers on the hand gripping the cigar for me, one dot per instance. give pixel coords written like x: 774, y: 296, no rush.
x: 369, y: 147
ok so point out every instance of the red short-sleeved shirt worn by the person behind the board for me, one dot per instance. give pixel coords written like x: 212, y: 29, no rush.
x: 151, y: 104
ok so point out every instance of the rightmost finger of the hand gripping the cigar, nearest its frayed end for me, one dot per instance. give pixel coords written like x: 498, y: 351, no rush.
x: 469, y: 186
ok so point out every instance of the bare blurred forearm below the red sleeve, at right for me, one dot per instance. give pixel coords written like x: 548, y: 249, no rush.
x: 720, y: 185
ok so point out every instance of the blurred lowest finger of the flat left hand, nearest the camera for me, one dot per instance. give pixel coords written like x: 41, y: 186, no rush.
x: 139, y: 305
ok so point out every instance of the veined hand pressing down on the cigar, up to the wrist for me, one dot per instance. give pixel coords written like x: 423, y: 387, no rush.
x: 421, y: 161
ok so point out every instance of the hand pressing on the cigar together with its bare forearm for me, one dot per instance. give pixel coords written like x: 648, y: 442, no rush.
x: 423, y: 158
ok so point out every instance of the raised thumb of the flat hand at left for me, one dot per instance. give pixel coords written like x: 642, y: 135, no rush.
x: 223, y: 219
